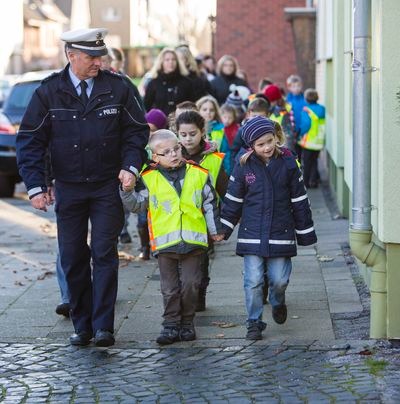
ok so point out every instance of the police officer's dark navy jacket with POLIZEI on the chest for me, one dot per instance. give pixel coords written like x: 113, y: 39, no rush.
x: 87, y: 143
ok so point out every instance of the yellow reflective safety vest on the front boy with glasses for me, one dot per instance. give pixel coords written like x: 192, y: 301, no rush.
x: 173, y: 218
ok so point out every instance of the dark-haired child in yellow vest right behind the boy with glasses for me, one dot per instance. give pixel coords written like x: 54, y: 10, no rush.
x: 190, y: 127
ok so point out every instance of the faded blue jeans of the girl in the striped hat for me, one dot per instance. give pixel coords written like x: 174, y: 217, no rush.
x: 278, y: 271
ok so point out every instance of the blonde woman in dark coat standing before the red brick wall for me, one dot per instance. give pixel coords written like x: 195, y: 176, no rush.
x: 227, y: 69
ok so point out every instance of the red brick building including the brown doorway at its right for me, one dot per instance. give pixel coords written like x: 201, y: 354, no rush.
x: 269, y: 38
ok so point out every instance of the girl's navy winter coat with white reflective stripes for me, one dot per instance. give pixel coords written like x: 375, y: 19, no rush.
x: 272, y: 203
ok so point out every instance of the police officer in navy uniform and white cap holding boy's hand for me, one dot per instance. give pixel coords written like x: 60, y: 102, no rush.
x: 92, y: 123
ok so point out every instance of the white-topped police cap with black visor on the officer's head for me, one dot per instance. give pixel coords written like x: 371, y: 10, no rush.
x: 88, y: 40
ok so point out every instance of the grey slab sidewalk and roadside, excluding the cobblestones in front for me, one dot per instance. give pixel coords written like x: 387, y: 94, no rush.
x: 321, y: 286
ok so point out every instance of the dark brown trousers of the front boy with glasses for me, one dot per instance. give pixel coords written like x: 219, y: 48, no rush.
x: 180, y: 276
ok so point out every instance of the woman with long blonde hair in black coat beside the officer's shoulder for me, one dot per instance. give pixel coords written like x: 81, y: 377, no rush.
x: 169, y: 84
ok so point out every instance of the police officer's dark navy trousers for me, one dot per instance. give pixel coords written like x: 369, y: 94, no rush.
x: 93, y: 292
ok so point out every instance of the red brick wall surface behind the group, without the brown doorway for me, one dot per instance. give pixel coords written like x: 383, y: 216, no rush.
x: 257, y: 33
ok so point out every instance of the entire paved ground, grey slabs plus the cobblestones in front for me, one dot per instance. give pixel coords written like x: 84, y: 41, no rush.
x: 321, y: 354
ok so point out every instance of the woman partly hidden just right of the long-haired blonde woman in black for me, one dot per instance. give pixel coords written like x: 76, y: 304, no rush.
x: 201, y: 86
